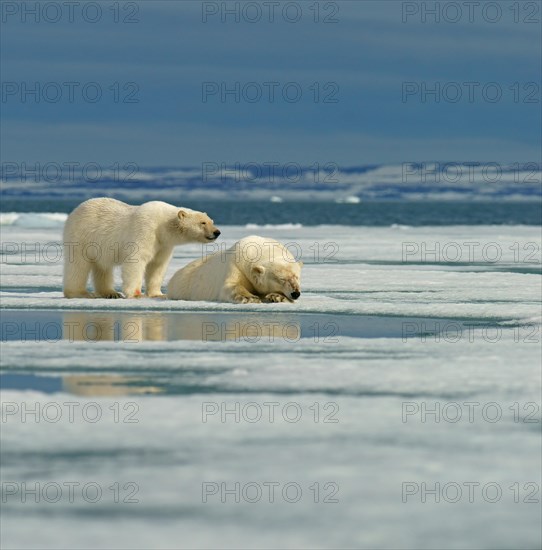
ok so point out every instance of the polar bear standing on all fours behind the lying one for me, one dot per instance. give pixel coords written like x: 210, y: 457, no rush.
x: 103, y: 232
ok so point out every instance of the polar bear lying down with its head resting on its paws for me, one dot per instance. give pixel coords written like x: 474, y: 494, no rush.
x: 255, y: 269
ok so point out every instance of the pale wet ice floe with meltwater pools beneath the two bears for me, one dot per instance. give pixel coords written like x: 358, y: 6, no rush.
x: 327, y: 395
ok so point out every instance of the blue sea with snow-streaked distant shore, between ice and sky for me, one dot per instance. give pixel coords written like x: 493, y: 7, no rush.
x: 373, y: 195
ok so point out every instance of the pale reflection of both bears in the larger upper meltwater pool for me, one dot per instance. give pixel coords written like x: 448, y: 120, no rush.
x: 141, y: 327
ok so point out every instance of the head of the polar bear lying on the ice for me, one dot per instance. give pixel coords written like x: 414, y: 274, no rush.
x: 277, y: 277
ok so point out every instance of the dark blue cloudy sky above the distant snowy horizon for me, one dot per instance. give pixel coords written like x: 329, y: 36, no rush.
x: 351, y: 80
